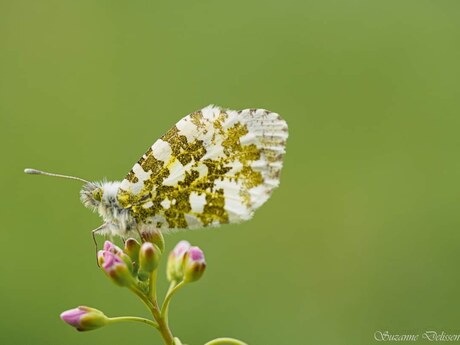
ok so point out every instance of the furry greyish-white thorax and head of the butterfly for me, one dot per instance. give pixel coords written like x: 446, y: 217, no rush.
x: 102, y: 197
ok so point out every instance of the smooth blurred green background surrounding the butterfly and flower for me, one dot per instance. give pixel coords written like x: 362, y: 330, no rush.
x: 363, y: 233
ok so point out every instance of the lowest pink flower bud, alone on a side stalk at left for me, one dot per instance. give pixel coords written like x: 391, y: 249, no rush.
x: 84, y: 318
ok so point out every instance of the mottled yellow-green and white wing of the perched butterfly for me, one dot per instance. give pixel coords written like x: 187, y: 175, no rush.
x: 213, y: 167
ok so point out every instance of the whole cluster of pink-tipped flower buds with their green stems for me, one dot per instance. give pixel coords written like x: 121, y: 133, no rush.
x: 135, y: 267
